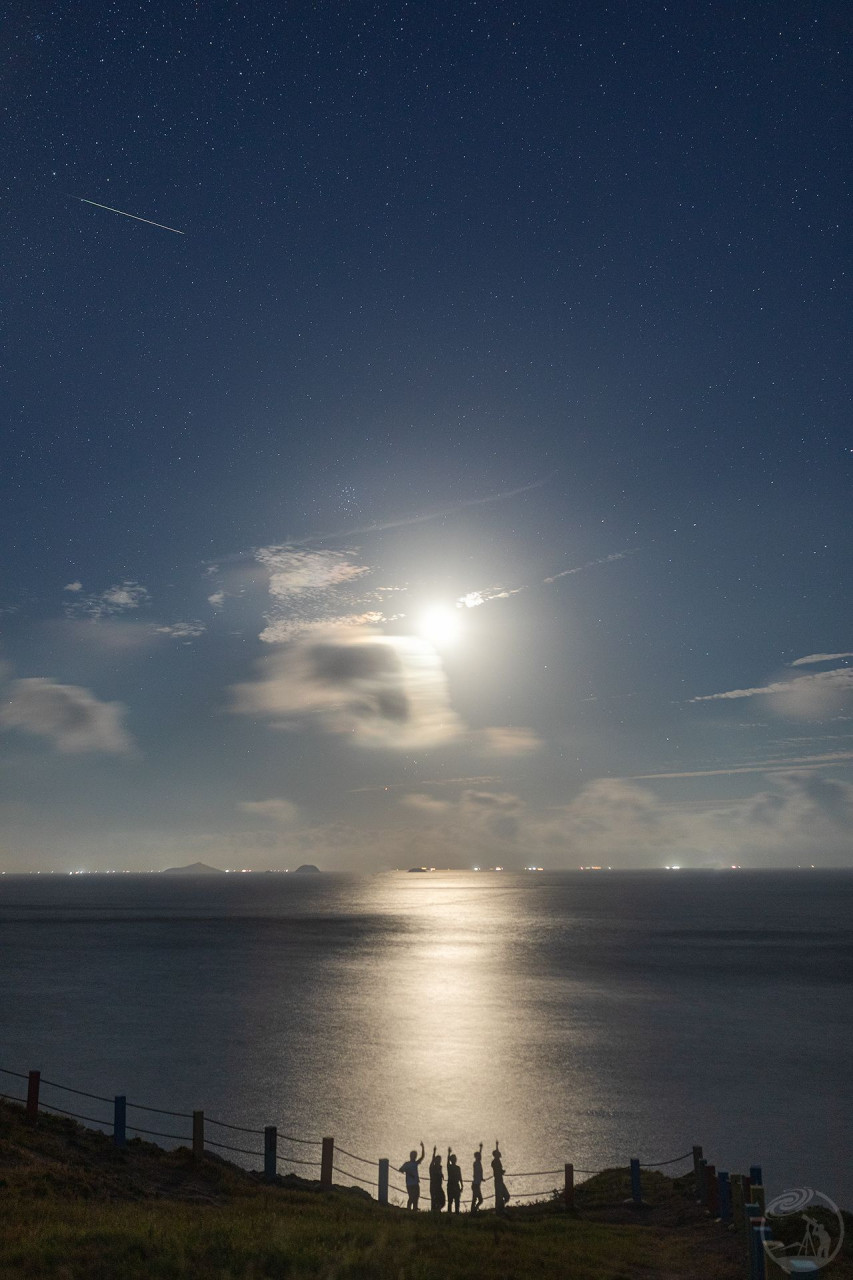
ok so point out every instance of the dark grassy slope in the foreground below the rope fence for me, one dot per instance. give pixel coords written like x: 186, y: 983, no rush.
x: 76, y: 1209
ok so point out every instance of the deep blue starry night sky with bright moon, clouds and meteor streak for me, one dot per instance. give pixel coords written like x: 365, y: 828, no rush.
x: 460, y: 473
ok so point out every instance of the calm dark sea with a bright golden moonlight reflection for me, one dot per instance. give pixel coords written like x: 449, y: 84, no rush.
x: 577, y: 1017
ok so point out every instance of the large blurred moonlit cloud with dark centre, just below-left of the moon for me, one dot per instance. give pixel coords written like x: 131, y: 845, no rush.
x: 377, y: 691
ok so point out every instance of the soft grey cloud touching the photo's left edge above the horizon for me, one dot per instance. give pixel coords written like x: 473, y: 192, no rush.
x: 70, y: 717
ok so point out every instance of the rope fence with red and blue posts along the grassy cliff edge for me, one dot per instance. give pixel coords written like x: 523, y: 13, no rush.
x: 735, y: 1200
